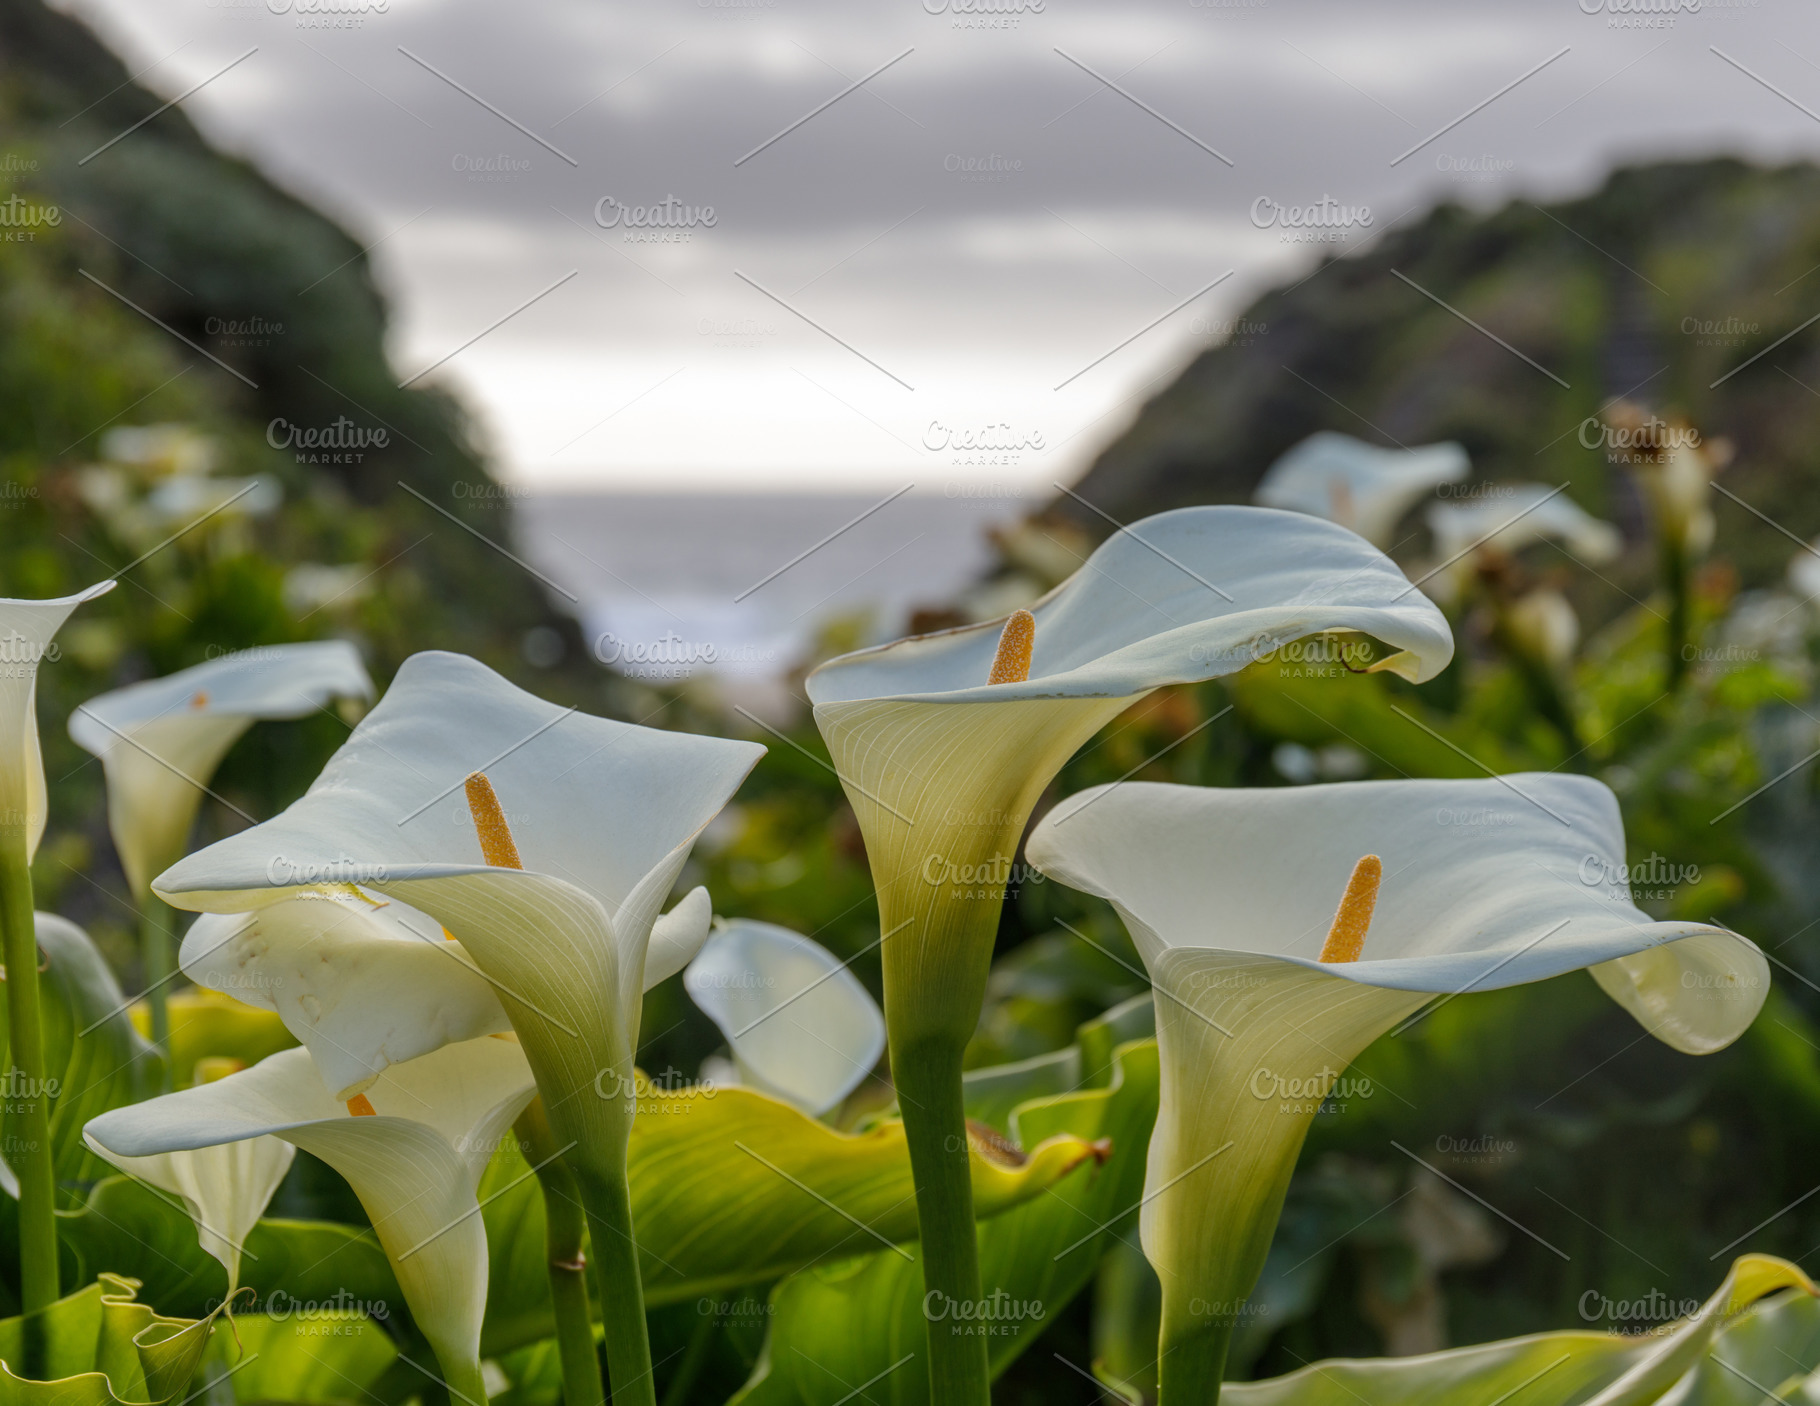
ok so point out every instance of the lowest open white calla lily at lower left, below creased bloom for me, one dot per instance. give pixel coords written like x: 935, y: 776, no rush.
x: 412, y: 1149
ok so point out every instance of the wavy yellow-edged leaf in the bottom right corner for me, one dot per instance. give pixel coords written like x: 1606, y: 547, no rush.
x: 1559, y: 1369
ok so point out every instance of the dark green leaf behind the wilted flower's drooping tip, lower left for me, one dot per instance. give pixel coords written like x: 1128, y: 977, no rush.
x: 128, y: 1229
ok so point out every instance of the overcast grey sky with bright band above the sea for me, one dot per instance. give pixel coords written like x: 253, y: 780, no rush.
x: 987, y: 217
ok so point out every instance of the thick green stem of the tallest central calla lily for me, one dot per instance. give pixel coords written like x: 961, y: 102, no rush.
x: 929, y: 1090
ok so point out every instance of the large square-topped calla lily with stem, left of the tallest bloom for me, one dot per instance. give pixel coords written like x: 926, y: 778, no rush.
x: 547, y: 843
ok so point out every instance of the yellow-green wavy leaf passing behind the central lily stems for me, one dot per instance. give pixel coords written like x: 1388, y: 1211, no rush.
x: 731, y: 1187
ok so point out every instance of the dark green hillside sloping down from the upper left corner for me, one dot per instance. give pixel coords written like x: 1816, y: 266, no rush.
x: 272, y: 332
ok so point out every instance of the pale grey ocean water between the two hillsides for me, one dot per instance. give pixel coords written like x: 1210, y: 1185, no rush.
x: 680, y: 585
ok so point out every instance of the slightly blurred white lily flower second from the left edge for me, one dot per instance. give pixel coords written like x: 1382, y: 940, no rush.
x: 163, y: 739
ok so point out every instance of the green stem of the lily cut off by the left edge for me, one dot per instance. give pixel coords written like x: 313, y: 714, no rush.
x: 37, y: 1180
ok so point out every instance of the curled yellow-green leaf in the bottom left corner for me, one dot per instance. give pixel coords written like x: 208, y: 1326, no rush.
x: 101, y: 1349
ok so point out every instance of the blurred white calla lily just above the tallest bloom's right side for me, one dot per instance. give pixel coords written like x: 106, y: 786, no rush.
x: 1357, y: 485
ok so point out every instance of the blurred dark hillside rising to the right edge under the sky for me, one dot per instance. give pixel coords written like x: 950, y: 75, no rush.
x: 1653, y: 288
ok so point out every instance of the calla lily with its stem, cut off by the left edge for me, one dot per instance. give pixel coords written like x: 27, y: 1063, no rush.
x: 26, y: 638
